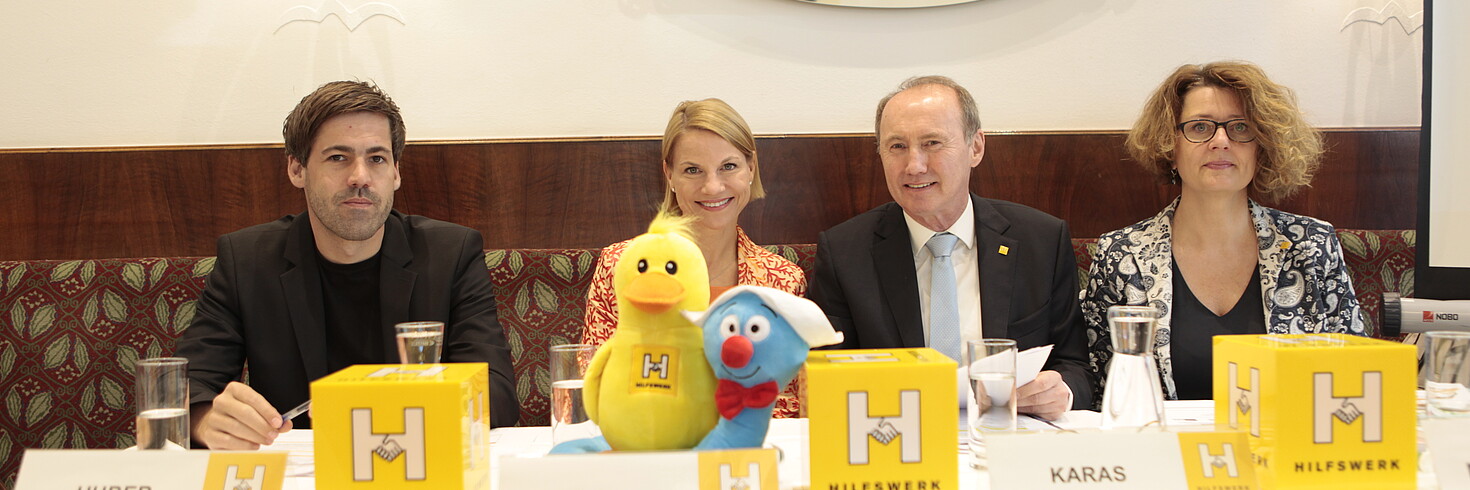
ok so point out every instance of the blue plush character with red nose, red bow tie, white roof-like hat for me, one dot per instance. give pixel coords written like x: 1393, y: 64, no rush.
x: 756, y: 339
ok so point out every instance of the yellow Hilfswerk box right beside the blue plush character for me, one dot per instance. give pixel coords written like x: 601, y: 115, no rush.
x: 883, y: 419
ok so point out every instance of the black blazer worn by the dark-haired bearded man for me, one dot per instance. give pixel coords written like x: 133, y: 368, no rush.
x: 264, y: 305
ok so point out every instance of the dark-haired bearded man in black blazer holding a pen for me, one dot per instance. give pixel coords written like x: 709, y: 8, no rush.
x: 308, y: 295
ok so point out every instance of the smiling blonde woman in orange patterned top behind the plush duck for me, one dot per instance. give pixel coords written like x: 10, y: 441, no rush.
x: 711, y: 174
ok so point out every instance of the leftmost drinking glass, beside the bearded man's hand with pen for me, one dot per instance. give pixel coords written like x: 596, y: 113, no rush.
x: 162, y: 398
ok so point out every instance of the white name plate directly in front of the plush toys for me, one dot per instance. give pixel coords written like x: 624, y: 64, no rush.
x: 705, y: 470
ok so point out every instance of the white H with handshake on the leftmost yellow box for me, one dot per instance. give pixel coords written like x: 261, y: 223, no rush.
x: 409, y: 445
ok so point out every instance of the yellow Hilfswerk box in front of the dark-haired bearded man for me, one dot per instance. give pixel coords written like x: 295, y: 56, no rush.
x: 404, y: 427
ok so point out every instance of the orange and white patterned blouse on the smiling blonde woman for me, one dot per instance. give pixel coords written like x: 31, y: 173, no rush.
x: 755, y: 267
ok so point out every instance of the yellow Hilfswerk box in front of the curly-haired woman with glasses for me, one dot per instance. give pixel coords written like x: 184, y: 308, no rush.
x: 1324, y: 411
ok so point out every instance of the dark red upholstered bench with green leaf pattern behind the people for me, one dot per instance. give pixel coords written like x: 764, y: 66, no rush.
x: 73, y: 330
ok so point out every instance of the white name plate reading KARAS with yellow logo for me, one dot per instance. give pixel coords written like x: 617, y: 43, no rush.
x: 1094, y: 461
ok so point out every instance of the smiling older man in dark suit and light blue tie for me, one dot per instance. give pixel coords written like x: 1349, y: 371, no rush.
x: 1015, y: 274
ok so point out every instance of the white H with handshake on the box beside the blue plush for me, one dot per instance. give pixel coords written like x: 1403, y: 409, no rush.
x: 861, y: 427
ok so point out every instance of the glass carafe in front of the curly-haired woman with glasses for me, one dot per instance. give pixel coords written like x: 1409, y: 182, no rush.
x: 1133, y: 397
